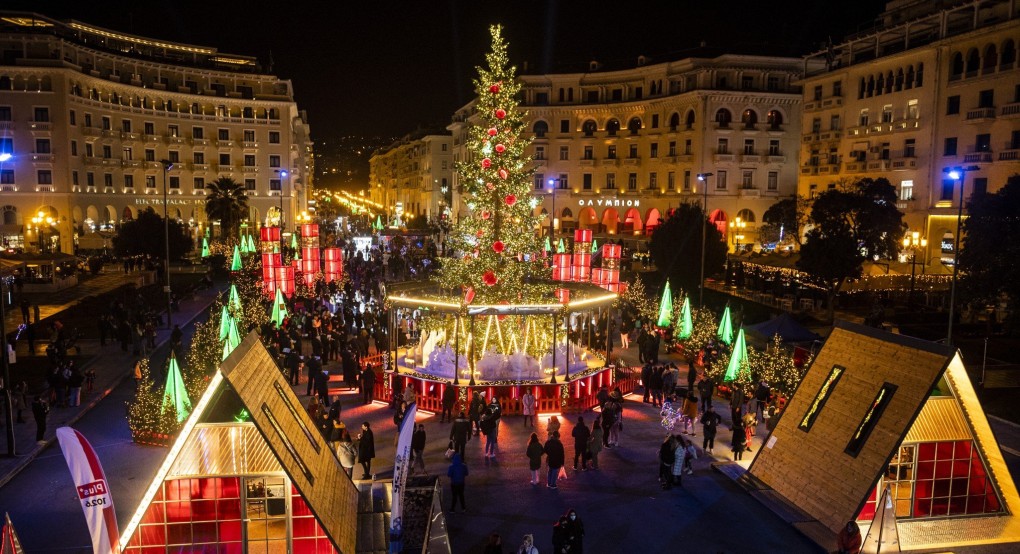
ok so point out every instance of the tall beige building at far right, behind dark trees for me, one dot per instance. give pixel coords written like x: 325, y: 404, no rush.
x: 935, y: 86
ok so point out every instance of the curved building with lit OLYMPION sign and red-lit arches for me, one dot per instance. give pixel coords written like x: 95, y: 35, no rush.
x: 617, y: 150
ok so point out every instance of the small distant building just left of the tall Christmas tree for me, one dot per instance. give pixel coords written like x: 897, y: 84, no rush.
x: 413, y: 177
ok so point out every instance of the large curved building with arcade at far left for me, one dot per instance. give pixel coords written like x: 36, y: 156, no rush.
x: 88, y: 115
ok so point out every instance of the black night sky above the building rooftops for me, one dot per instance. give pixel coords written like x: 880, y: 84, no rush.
x: 387, y: 68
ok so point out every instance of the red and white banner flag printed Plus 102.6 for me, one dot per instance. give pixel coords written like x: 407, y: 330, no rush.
x: 93, y: 491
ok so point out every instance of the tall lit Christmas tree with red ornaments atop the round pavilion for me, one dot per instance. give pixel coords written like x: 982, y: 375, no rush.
x: 497, y: 250
